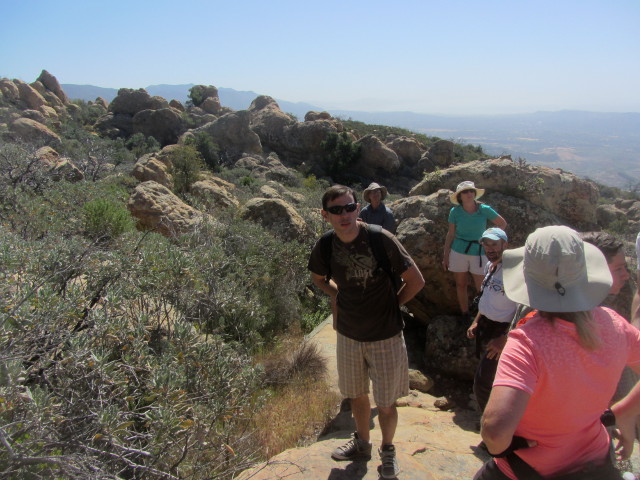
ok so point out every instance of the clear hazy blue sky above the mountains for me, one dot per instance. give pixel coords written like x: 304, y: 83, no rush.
x: 445, y: 56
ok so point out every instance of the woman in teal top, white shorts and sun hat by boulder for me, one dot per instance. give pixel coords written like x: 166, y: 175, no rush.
x: 462, y: 252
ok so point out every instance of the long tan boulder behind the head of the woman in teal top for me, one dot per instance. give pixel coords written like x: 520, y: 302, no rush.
x: 572, y: 199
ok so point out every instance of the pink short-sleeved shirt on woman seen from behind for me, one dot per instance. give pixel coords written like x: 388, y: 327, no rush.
x: 570, y: 387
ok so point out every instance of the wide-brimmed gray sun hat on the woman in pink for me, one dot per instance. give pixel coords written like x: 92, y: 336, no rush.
x: 556, y: 272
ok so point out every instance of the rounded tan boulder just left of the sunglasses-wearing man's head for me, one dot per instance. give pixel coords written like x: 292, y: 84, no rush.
x: 277, y: 216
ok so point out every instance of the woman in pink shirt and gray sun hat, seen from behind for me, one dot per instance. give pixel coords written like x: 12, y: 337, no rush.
x: 558, y: 372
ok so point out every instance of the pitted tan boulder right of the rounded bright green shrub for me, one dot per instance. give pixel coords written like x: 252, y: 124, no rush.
x: 157, y: 208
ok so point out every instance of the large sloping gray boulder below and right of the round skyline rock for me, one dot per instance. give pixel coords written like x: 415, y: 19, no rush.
x: 232, y: 133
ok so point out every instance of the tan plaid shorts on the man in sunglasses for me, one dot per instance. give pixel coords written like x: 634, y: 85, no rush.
x: 383, y: 362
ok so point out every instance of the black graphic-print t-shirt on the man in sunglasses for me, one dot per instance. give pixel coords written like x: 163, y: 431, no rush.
x: 367, y: 302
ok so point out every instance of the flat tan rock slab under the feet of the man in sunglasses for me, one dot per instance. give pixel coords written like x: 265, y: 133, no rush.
x: 431, y: 445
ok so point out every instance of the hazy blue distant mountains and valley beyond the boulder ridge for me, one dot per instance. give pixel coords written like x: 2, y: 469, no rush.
x: 601, y: 146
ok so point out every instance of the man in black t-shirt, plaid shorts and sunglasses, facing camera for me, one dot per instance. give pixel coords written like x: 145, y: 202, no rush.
x: 370, y: 344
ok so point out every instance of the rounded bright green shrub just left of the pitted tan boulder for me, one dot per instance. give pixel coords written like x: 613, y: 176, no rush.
x: 105, y: 220
